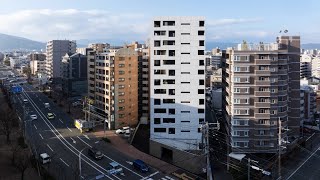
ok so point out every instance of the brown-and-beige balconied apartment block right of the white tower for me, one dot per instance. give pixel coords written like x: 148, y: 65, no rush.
x: 261, y: 94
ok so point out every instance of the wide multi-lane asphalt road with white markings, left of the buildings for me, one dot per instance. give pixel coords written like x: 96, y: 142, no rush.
x: 63, y: 142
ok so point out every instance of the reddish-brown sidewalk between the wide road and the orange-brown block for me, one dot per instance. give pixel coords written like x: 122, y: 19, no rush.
x: 122, y: 145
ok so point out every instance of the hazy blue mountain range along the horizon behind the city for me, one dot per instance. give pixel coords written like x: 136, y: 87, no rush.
x: 9, y: 43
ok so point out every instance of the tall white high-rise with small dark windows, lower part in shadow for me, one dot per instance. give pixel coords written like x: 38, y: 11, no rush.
x: 177, y: 82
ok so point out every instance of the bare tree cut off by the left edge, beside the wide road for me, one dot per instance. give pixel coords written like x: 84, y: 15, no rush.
x: 7, y: 122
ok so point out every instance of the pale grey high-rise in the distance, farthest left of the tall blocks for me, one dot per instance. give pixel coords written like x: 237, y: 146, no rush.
x: 56, y: 49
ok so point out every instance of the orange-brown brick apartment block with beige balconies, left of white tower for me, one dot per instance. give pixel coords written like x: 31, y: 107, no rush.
x: 113, y: 84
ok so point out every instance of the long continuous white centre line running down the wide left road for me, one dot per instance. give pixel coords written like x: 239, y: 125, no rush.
x: 68, y: 145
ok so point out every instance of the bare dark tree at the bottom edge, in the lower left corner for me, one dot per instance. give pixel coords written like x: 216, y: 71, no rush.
x: 23, y: 161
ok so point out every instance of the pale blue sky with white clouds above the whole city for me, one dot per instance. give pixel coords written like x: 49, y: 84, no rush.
x: 129, y: 20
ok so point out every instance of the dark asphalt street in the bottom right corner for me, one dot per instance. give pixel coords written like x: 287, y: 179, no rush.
x: 309, y: 169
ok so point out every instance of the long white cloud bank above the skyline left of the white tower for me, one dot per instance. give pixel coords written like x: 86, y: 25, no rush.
x: 46, y: 24
